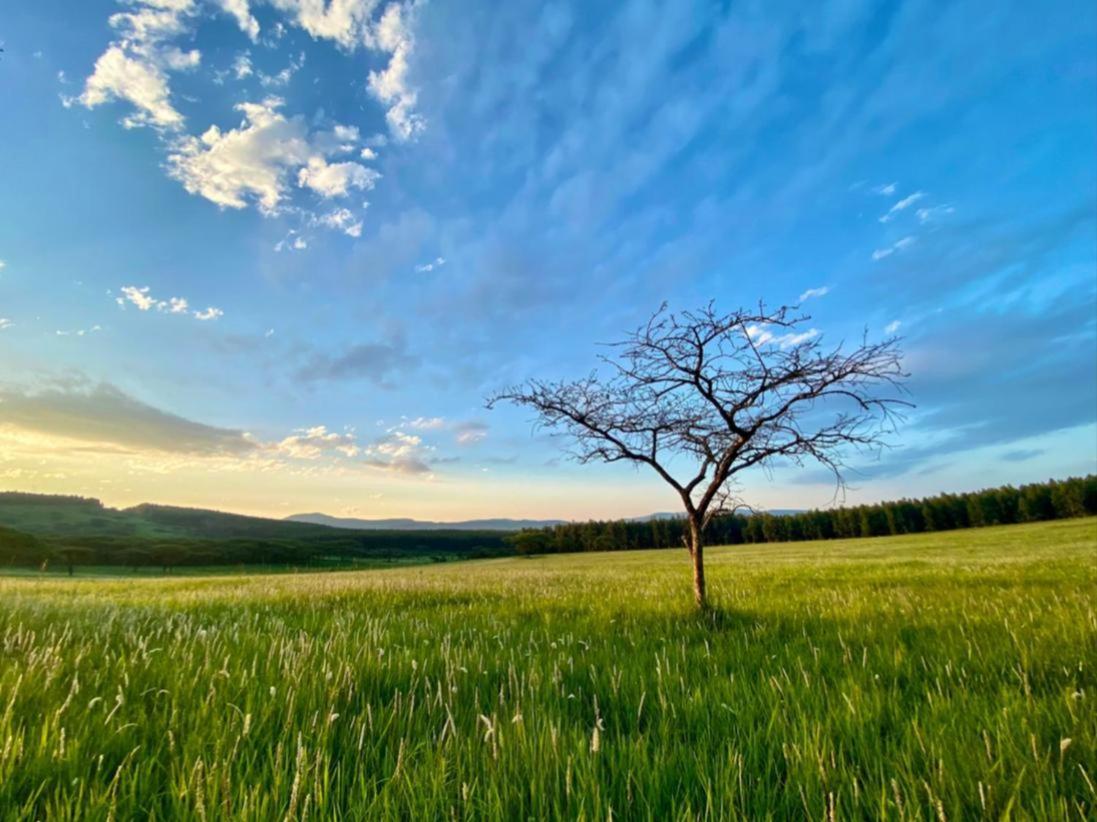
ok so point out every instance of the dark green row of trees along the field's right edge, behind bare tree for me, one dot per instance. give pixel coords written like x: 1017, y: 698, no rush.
x: 1054, y: 500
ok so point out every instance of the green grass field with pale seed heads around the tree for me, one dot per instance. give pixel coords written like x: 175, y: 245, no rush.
x: 943, y: 677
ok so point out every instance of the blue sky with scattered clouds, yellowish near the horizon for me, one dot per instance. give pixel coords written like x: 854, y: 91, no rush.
x: 270, y: 256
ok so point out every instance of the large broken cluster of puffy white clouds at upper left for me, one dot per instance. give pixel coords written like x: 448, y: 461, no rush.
x: 253, y: 164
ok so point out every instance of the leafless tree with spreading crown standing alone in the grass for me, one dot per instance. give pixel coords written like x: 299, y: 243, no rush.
x: 716, y: 395
